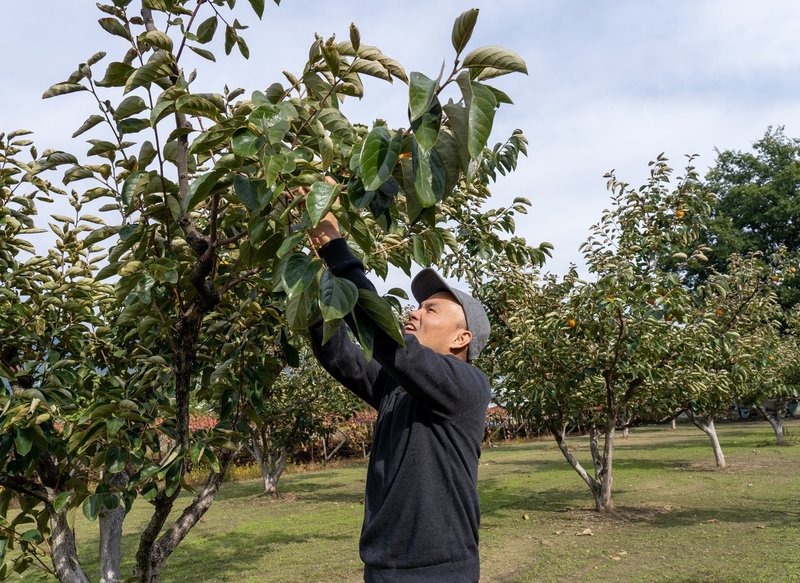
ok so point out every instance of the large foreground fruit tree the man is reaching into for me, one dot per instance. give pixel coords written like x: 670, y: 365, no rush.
x: 212, y: 194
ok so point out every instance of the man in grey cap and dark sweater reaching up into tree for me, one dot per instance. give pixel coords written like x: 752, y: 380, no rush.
x: 421, y: 514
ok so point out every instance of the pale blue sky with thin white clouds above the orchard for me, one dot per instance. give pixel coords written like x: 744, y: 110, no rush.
x: 611, y: 83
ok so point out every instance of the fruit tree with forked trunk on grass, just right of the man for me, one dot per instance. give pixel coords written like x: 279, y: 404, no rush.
x: 597, y: 353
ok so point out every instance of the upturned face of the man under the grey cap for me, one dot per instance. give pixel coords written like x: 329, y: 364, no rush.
x: 439, y: 323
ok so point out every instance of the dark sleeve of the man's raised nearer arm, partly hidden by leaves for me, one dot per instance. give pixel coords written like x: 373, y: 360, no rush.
x: 445, y: 384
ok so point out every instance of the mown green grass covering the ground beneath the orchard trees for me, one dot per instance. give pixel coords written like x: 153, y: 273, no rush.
x: 677, y: 517
